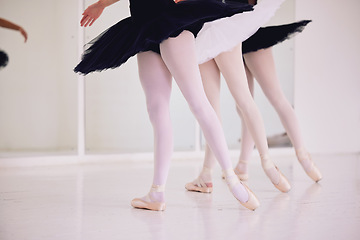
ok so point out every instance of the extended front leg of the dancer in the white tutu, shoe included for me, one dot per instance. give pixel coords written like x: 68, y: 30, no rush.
x: 232, y: 67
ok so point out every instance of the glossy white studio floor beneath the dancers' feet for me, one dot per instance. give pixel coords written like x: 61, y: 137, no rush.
x: 93, y: 202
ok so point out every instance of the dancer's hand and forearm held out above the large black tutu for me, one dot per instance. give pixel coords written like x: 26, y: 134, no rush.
x: 94, y: 11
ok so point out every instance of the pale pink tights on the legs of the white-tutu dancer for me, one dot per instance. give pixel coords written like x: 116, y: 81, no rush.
x: 230, y: 64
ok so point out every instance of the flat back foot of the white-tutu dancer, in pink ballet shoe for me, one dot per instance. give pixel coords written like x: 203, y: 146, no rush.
x: 202, y: 183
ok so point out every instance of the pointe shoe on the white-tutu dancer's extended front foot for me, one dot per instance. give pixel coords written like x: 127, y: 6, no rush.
x: 283, y: 184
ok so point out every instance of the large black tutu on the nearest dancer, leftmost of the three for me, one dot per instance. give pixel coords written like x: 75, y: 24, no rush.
x: 150, y: 23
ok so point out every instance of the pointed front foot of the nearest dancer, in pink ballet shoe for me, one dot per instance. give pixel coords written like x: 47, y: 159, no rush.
x: 240, y: 191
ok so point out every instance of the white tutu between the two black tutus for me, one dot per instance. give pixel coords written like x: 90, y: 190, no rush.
x: 226, y: 33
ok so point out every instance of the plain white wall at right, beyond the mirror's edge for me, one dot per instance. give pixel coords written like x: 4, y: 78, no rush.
x: 327, y: 75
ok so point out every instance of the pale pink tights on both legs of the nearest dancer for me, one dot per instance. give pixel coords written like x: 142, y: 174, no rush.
x: 179, y: 59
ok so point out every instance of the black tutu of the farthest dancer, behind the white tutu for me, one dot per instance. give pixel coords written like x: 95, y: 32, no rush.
x: 269, y: 36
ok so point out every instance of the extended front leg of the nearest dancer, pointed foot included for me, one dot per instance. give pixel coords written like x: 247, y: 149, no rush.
x: 180, y: 58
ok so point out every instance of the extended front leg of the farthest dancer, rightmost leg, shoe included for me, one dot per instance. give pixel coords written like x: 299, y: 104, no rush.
x: 261, y: 64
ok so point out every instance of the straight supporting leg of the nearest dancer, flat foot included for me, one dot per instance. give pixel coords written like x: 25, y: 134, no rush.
x: 156, y: 82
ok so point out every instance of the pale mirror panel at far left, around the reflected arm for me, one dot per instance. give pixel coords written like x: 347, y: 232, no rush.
x: 38, y: 88
